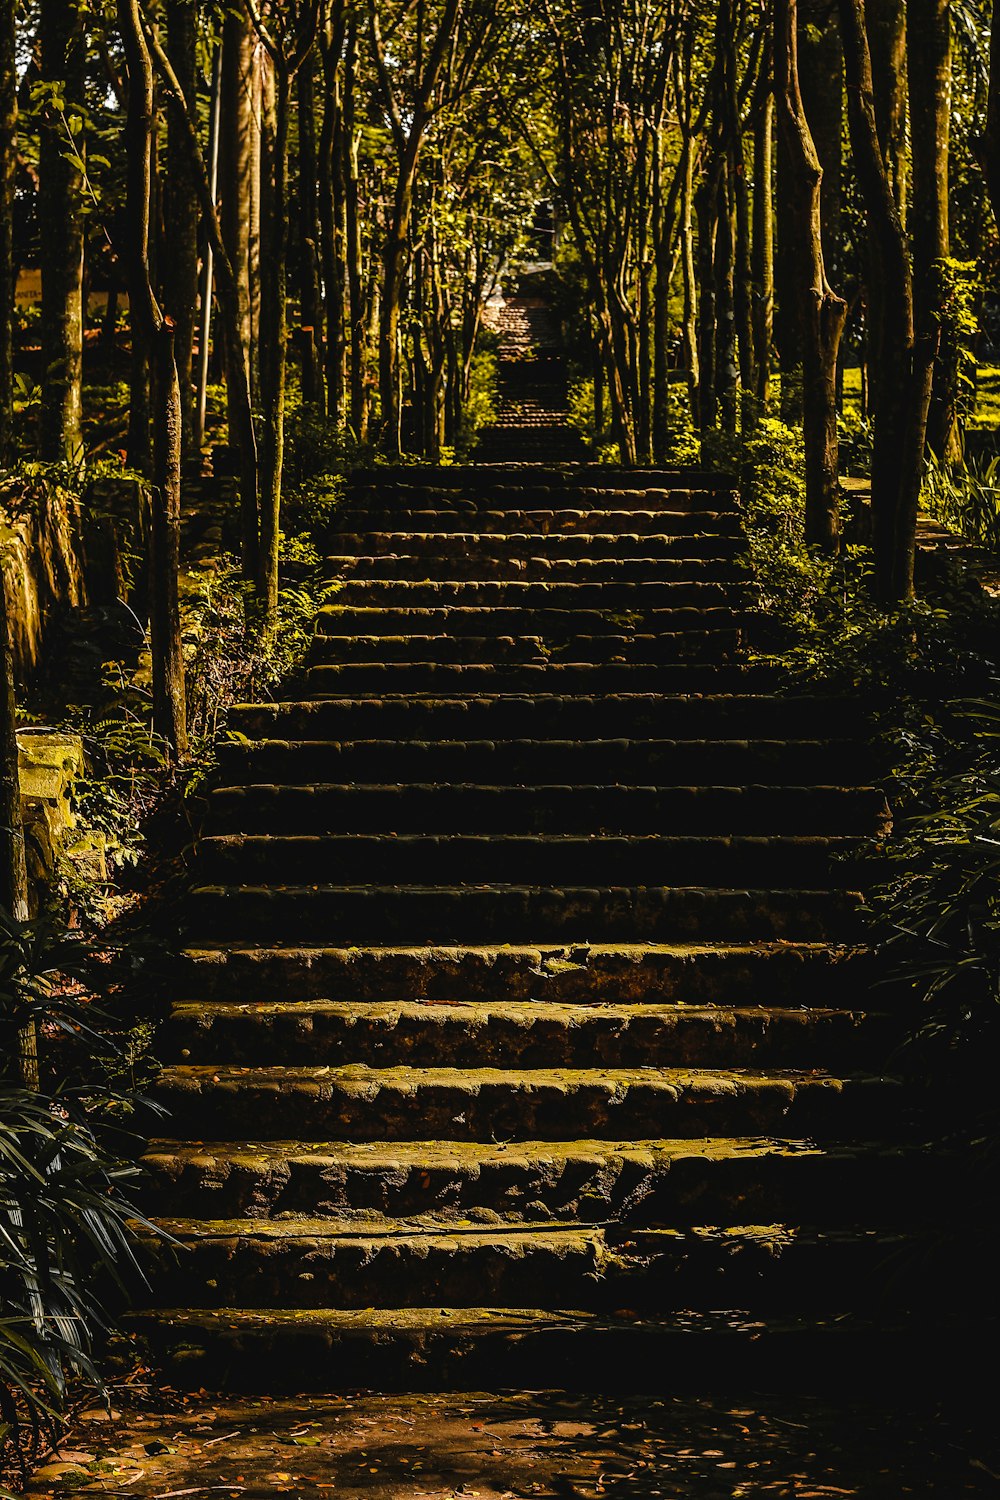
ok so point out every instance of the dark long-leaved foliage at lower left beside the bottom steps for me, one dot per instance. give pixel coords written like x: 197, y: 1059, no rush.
x: 67, y: 1217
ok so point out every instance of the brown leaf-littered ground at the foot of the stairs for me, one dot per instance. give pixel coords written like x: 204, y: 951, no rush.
x: 519, y: 1447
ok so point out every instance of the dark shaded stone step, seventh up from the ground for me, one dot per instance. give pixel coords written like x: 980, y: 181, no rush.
x: 521, y: 914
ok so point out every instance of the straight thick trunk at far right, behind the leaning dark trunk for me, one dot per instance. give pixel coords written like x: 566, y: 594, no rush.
x: 930, y: 79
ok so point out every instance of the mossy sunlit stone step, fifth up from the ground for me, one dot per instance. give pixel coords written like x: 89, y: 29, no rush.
x: 530, y: 1034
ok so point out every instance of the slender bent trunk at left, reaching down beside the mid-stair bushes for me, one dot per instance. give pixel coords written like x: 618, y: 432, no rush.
x: 167, y: 653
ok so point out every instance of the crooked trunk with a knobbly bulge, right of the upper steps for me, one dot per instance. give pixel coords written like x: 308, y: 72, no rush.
x: 822, y: 313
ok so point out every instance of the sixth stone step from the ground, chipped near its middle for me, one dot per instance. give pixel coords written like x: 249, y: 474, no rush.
x: 735, y: 974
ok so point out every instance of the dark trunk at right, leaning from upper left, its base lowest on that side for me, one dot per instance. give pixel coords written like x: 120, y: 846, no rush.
x: 905, y: 365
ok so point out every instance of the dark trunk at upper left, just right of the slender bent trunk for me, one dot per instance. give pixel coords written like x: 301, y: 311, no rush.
x: 182, y: 214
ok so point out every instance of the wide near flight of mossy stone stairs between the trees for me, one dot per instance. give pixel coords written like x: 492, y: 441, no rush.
x: 525, y: 1037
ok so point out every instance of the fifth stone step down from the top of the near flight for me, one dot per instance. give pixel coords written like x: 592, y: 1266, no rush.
x: 493, y: 568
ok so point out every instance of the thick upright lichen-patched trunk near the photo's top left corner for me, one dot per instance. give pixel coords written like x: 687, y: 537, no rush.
x: 62, y: 235
